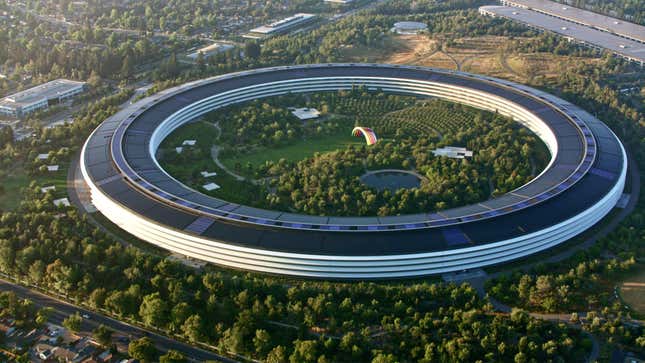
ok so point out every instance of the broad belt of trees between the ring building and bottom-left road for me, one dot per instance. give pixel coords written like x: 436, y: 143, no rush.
x: 267, y: 317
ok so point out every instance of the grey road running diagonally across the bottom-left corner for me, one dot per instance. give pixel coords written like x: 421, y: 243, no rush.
x: 62, y: 310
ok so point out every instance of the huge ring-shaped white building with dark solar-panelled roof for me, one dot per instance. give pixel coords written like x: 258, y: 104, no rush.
x: 581, y: 183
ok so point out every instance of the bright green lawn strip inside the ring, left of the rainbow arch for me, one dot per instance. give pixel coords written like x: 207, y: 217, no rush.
x: 298, y: 151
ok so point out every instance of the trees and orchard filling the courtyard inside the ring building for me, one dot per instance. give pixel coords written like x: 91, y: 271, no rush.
x: 506, y: 155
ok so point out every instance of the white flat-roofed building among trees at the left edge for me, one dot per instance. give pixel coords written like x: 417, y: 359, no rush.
x: 40, y: 97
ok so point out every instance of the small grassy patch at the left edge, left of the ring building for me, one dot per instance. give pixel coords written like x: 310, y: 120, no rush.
x: 17, y: 179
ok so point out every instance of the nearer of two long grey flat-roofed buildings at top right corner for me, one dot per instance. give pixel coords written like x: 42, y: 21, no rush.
x: 628, y: 49
